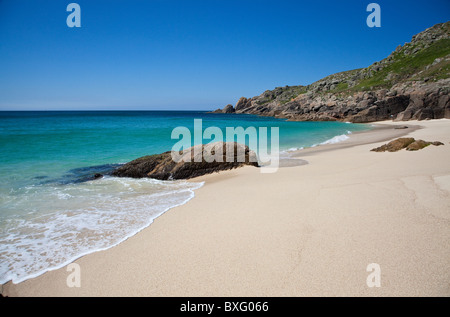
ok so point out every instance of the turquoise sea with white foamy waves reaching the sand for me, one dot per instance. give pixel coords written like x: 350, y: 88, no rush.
x: 51, y: 212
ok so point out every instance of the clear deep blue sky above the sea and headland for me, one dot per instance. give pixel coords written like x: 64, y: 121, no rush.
x: 189, y: 54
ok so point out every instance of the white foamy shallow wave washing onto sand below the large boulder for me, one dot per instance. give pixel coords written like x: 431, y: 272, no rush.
x: 81, y: 219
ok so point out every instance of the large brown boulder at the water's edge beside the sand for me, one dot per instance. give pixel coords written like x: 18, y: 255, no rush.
x: 195, y: 161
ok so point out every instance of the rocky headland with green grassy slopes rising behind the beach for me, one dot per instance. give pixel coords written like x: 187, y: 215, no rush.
x: 413, y: 82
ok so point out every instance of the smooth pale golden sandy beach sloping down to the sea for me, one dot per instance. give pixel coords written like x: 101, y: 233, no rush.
x: 308, y: 230
